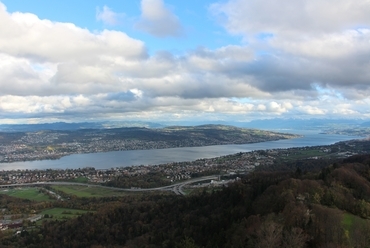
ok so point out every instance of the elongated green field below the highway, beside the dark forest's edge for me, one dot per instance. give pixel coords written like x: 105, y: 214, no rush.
x: 89, y: 191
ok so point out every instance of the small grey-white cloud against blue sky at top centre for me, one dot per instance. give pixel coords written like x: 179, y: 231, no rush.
x: 158, y: 20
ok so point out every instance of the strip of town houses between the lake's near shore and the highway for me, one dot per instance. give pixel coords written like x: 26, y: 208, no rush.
x: 240, y: 163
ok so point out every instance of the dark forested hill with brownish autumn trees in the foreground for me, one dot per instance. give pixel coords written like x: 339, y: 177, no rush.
x: 330, y: 208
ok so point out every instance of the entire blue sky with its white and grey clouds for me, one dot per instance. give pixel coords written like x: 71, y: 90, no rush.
x: 168, y: 60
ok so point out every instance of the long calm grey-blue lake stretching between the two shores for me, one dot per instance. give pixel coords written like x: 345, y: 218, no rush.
x: 108, y: 160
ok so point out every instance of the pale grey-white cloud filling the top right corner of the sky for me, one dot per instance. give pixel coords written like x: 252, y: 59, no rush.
x: 251, y: 17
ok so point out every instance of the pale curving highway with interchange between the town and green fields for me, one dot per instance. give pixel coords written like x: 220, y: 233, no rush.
x: 176, y: 188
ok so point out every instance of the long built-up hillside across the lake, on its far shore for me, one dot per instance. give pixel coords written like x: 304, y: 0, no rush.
x: 53, y: 144
